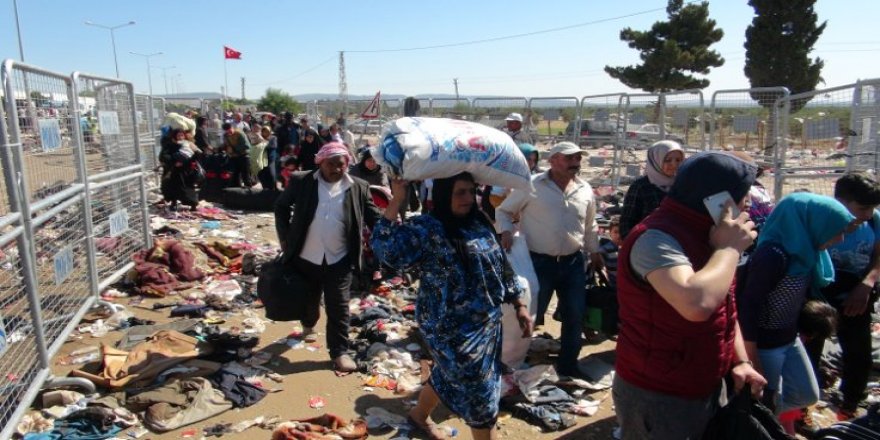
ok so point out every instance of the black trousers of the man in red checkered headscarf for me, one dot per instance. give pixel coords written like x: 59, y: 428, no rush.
x: 334, y: 282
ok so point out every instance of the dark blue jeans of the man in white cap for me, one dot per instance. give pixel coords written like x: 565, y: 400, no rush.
x: 565, y: 276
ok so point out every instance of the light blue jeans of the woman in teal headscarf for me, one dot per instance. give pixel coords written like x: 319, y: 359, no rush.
x: 790, y: 365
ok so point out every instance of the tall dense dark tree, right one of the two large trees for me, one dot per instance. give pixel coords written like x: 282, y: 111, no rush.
x: 778, y: 45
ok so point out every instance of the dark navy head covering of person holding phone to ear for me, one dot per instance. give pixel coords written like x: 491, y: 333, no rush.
x: 708, y: 173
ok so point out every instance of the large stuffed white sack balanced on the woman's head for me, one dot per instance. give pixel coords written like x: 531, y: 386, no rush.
x: 435, y: 148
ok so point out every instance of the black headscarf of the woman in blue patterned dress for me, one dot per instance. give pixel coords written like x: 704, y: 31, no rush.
x: 452, y: 224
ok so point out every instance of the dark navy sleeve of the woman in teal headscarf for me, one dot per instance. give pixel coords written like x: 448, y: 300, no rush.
x: 766, y: 268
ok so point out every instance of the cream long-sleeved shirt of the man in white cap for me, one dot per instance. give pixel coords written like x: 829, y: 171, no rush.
x: 554, y: 222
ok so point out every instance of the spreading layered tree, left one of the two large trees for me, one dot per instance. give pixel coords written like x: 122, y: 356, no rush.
x: 671, y: 50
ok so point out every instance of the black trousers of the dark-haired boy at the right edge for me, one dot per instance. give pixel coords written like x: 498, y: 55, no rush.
x: 854, y: 336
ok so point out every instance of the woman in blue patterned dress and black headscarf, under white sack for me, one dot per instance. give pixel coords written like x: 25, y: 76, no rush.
x: 464, y: 280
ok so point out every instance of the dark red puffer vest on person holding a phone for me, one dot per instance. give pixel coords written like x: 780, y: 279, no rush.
x: 657, y: 349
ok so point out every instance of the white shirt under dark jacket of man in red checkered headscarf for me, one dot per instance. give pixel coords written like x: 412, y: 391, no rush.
x: 326, y: 239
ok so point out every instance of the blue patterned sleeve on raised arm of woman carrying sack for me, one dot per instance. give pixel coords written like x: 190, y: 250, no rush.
x: 401, y: 245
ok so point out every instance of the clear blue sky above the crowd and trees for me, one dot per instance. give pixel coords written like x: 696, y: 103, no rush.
x: 294, y: 45
